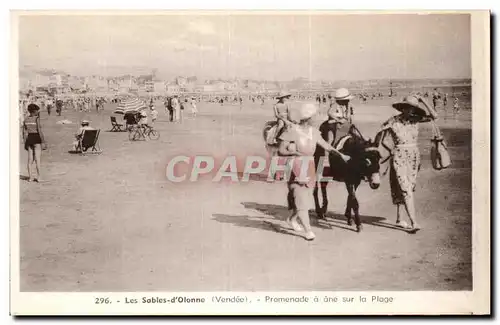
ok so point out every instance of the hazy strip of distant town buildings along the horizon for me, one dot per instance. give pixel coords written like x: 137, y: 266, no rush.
x: 64, y: 83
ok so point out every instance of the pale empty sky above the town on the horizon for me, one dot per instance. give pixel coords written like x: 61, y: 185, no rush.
x: 263, y: 46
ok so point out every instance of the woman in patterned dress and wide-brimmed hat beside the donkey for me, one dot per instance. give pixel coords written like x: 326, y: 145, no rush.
x: 405, y: 161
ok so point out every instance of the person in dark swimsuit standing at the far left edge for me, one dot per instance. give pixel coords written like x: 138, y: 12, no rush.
x: 34, y: 141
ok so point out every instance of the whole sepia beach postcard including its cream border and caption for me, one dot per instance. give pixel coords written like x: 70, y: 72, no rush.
x: 250, y: 163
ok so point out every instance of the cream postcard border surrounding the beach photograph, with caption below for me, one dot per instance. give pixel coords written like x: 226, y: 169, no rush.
x: 470, y: 302
